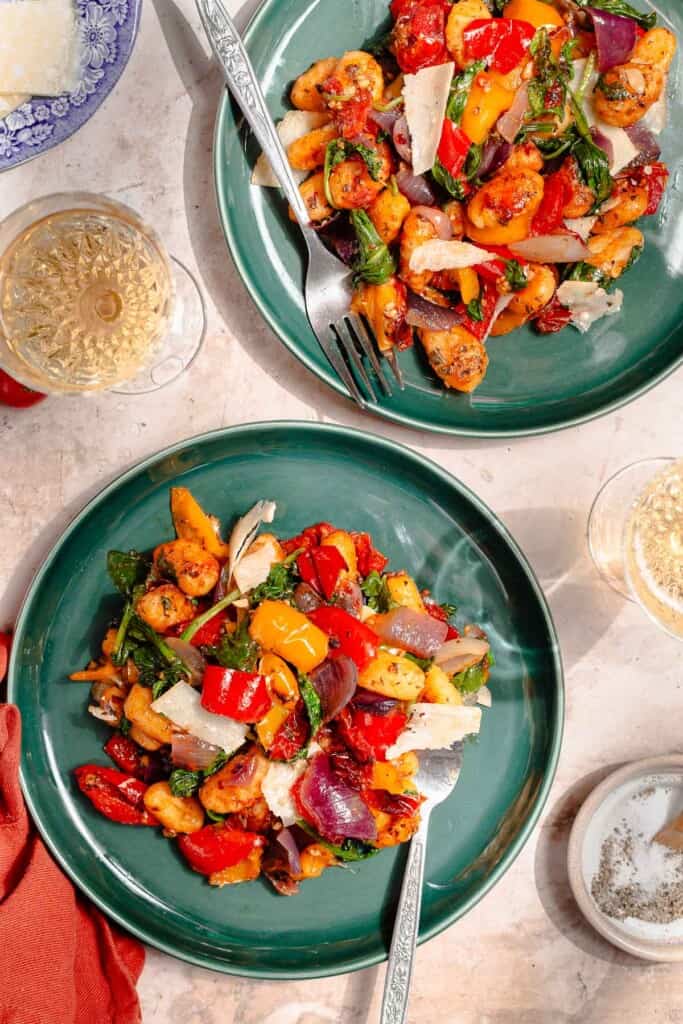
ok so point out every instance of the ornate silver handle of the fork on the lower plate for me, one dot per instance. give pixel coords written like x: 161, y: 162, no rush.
x: 407, y: 925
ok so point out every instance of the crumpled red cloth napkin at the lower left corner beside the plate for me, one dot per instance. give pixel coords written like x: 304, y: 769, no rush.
x: 61, y: 961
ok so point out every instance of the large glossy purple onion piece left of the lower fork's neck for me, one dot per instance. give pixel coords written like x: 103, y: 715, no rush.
x: 333, y: 808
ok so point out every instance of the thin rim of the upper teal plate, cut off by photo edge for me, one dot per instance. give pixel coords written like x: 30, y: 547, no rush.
x: 325, y: 374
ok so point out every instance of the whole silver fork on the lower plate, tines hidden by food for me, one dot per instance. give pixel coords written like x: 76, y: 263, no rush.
x: 437, y: 777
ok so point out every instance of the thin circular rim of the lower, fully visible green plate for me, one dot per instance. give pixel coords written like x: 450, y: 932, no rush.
x: 557, y: 726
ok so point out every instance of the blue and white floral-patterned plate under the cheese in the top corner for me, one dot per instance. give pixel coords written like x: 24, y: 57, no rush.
x: 109, y: 29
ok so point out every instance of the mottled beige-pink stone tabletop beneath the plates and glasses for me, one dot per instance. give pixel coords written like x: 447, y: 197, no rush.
x: 524, y: 956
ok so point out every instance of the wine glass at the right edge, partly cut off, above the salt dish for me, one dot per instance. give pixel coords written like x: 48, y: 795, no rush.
x: 635, y: 535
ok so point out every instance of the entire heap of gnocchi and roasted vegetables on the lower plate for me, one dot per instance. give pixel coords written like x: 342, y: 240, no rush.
x: 269, y: 730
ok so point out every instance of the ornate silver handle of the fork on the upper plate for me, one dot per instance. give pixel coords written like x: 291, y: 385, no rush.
x: 241, y: 77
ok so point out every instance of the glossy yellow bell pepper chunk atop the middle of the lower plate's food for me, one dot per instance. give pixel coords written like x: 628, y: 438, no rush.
x: 278, y: 627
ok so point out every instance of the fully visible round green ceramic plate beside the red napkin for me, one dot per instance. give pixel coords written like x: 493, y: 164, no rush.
x: 424, y: 521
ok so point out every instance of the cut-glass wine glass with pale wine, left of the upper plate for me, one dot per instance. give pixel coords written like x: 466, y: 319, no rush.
x: 92, y: 302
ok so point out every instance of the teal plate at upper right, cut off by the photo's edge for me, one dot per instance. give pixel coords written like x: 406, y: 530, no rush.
x: 535, y: 385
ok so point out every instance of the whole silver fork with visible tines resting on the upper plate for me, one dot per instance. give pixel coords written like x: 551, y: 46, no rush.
x: 344, y: 337
